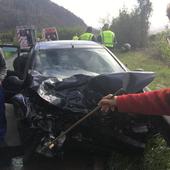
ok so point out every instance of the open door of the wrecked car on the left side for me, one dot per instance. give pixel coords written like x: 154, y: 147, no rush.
x: 13, y: 81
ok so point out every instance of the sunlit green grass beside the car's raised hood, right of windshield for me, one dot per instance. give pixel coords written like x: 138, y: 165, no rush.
x: 141, y: 59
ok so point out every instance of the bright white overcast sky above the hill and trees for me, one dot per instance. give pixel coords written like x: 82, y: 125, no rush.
x: 91, y: 11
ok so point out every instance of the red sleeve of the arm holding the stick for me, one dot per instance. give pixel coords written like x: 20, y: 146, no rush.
x: 149, y: 103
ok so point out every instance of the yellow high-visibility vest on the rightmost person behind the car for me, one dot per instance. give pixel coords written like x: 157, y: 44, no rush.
x: 108, y: 38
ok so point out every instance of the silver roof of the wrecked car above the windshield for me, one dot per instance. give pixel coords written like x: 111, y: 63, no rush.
x: 66, y: 44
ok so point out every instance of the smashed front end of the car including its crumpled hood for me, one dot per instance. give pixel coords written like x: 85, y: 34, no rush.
x: 50, y: 106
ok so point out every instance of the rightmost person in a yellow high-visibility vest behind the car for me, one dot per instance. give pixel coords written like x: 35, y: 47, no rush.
x: 107, y: 37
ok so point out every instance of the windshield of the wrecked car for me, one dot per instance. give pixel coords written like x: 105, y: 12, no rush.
x: 76, y: 60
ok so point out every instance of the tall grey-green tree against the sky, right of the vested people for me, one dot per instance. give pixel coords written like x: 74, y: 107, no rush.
x: 133, y: 27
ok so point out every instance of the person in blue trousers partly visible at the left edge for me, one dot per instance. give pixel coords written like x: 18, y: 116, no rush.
x: 3, y: 71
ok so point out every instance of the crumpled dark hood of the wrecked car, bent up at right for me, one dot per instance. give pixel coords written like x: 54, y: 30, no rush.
x: 80, y: 93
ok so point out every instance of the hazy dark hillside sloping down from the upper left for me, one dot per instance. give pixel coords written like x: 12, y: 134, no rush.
x: 40, y: 13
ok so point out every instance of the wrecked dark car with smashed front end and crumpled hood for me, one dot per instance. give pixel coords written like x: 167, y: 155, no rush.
x: 58, y: 83
